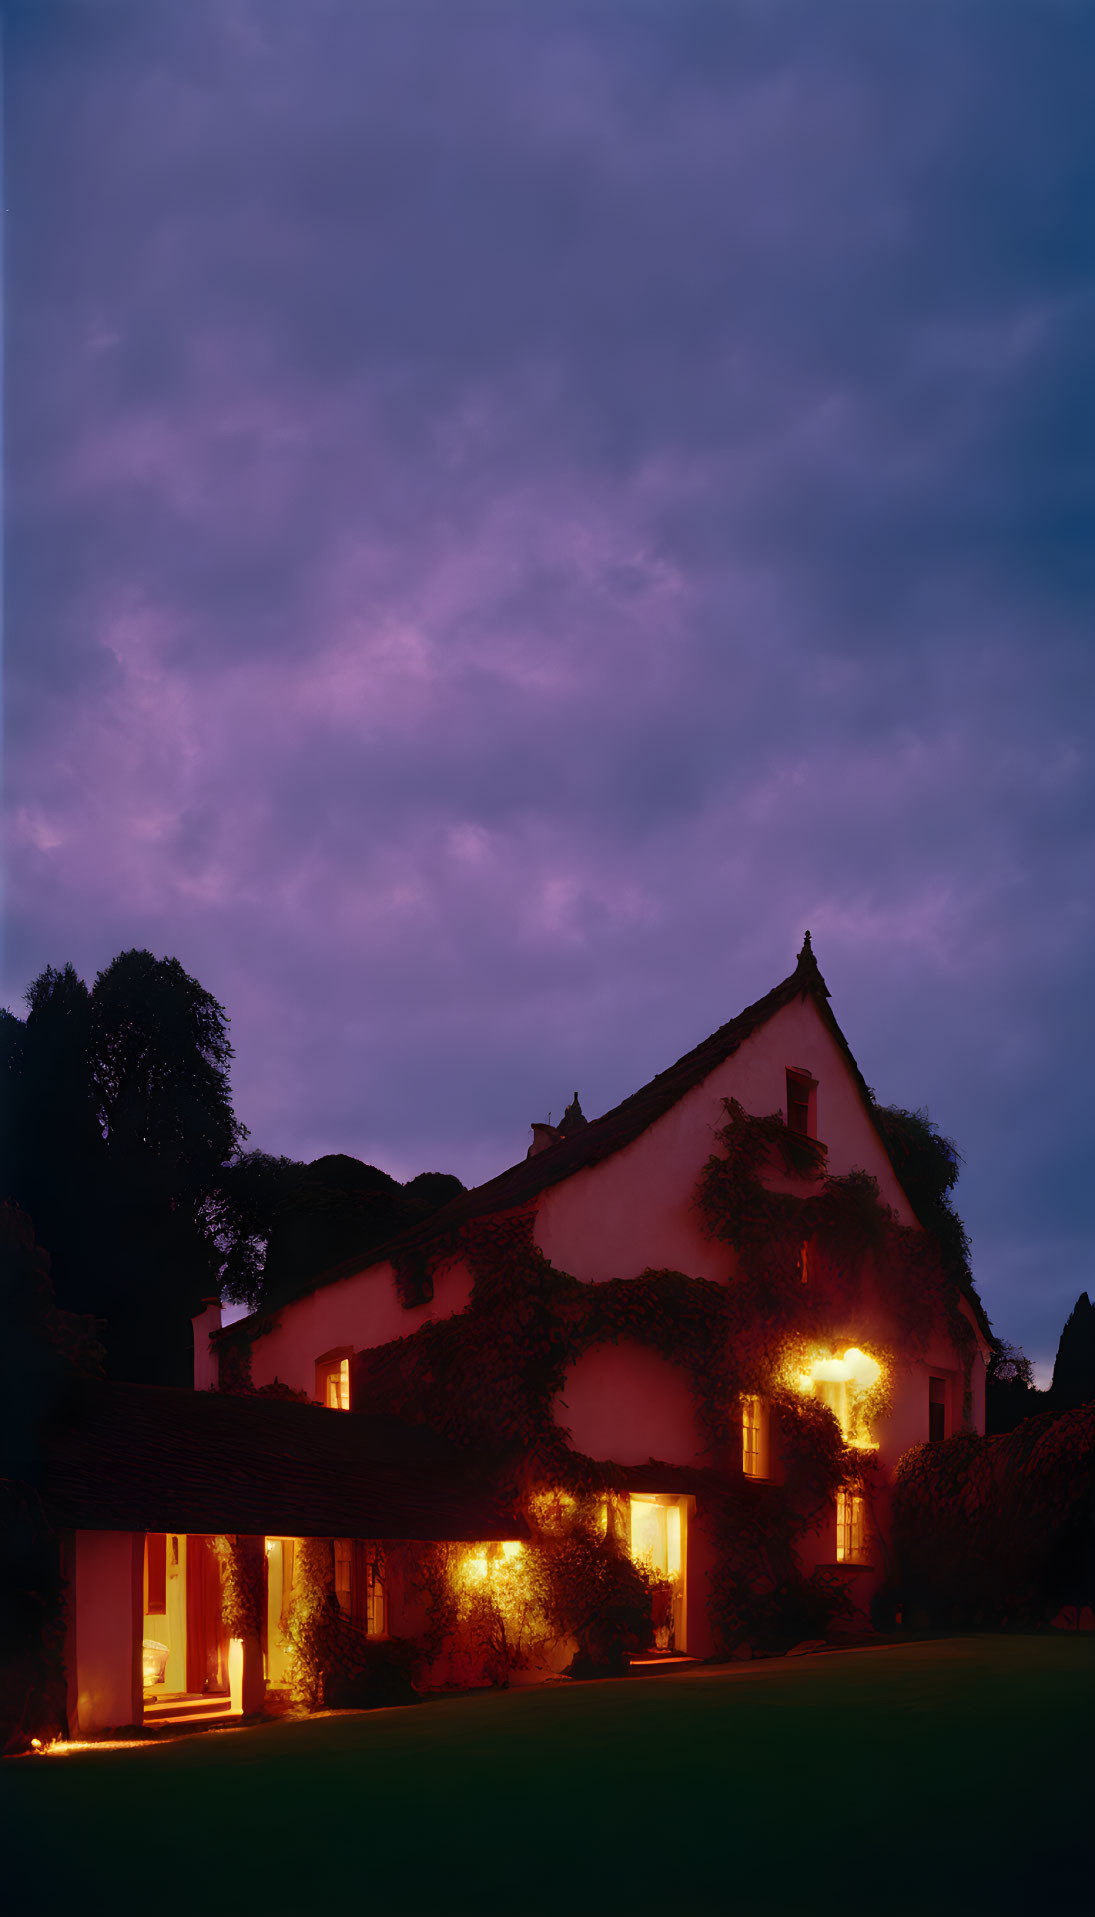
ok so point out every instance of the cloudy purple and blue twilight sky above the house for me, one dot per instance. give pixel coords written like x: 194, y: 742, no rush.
x: 515, y: 511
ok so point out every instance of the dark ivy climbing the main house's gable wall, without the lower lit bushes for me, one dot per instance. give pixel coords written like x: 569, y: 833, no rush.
x: 490, y: 1375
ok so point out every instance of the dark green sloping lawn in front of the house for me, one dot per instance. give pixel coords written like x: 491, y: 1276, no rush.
x: 929, y: 1778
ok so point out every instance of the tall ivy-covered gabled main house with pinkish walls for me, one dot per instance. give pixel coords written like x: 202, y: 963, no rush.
x: 705, y: 1326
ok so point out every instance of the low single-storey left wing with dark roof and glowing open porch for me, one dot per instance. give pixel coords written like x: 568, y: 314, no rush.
x: 185, y: 1523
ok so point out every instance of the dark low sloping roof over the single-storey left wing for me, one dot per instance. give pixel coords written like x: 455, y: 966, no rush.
x: 147, y: 1458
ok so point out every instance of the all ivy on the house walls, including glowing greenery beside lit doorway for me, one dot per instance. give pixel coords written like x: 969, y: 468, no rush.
x: 814, y: 1260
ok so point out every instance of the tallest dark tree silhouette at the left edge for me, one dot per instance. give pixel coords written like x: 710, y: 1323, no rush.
x: 122, y: 1124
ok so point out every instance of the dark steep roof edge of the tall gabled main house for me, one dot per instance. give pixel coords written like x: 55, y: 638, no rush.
x: 601, y: 1138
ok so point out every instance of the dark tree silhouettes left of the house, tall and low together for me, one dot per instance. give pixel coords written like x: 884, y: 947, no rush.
x: 122, y: 1143
